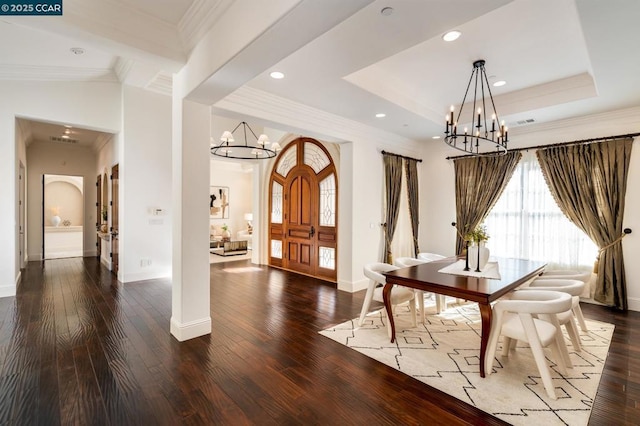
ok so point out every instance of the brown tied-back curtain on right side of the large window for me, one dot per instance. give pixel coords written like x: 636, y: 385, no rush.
x: 589, y: 183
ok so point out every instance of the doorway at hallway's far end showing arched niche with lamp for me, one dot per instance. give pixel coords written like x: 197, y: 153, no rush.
x: 62, y: 216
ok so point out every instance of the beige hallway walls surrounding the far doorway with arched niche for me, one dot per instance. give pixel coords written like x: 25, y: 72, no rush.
x: 59, y: 159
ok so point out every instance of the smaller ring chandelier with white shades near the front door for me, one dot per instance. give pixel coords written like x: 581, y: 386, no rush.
x: 228, y: 148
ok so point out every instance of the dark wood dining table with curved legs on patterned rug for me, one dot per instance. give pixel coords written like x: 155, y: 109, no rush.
x: 464, y: 285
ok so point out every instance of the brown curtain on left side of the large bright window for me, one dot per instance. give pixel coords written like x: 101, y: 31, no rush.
x: 479, y: 183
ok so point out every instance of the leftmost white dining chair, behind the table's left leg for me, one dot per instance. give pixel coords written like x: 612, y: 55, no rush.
x: 399, y: 294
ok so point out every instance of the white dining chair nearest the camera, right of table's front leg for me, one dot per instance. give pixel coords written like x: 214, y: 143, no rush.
x: 520, y: 318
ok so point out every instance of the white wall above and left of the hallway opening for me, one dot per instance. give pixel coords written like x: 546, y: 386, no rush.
x: 71, y: 103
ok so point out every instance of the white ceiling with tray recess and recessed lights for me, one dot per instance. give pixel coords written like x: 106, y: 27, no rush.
x: 561, y: 58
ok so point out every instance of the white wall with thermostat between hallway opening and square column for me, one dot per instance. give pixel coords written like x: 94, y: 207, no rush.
x: 145, y: 185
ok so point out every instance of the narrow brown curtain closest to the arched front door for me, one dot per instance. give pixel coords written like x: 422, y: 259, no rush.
x: 393, y: 186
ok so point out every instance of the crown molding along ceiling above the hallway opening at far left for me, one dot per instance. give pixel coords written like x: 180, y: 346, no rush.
x: 39, y: 73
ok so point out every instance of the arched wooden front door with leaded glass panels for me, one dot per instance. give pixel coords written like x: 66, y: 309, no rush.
x: 303, y: 210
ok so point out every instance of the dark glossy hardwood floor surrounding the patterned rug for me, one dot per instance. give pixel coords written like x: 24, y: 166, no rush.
x: 76, y: 347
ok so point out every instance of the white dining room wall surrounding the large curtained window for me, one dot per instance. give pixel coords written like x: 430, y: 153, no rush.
x: 437, y: 192
